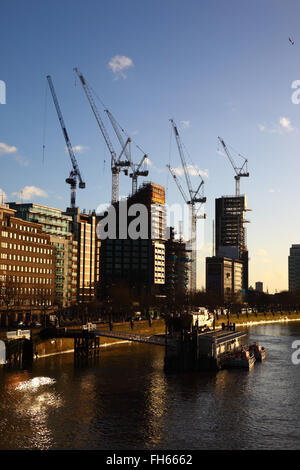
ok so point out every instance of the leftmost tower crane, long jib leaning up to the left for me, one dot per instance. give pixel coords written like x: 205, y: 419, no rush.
x: 75, y: 173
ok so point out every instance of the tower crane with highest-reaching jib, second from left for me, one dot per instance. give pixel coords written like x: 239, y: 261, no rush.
x: 116, y: 163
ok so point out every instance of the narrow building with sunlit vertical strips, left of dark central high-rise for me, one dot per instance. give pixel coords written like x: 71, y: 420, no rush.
x: 84, y: 230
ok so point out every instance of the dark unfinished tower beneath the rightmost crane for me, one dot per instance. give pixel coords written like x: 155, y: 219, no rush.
x: 230, y: 235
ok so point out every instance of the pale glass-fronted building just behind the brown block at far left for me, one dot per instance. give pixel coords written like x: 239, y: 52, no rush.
x: 58, y: 225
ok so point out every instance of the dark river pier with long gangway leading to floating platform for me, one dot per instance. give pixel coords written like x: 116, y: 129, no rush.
x: 185, y: 350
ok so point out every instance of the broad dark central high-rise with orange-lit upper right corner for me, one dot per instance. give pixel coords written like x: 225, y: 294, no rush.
x: 136, y: 260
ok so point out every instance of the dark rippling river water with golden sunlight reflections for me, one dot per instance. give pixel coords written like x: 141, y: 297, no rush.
x: 127, y: 401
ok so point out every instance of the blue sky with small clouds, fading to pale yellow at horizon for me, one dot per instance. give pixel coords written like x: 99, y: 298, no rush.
x: 217, y: 68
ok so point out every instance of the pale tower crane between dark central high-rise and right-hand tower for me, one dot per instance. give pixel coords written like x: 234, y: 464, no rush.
x: 192, y: 199
